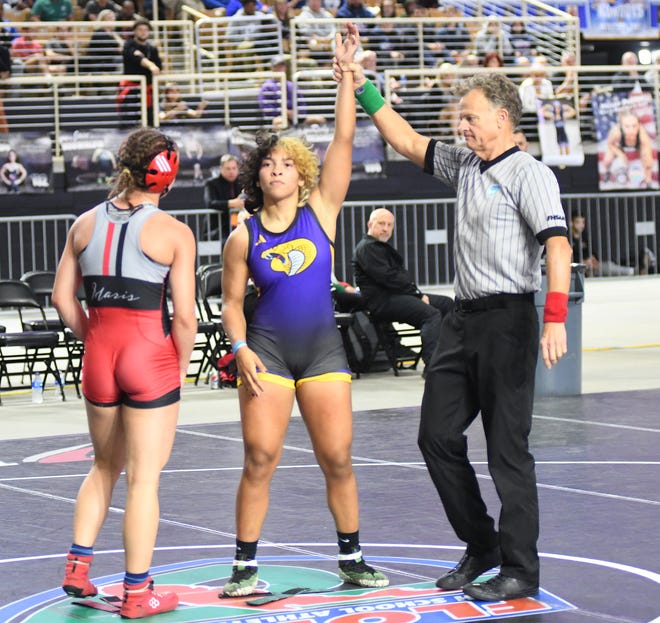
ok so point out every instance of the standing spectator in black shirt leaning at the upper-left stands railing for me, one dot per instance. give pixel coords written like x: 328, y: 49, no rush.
x: 141, y: 58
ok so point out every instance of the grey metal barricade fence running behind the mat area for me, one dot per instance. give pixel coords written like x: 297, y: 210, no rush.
x: 622, y: 227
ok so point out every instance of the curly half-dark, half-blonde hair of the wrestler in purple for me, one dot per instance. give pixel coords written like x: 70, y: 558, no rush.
x: 305, y: 159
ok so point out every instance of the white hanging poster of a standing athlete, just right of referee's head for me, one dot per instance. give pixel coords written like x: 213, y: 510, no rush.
x: 559, y: 133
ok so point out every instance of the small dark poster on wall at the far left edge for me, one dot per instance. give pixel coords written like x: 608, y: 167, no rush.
x: 26, y: 163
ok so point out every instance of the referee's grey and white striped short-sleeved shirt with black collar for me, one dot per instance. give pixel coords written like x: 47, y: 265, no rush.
x: 506, y: 209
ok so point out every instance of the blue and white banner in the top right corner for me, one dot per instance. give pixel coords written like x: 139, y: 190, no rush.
x: 615, y: 19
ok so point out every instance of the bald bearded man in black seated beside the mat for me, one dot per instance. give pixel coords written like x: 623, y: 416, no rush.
x: 388, y: 288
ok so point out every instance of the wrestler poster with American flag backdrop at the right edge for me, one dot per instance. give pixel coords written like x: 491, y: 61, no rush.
x: 626, y: 133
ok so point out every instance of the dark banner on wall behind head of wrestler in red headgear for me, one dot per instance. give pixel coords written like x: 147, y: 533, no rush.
x: 90, y: 155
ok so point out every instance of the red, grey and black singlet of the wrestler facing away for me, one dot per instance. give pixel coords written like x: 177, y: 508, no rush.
x: 130, y: 356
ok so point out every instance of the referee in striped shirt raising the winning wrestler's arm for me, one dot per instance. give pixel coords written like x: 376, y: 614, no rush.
x: 508, y: 209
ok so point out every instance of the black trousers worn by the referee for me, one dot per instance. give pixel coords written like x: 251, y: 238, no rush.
x: 485, y: 361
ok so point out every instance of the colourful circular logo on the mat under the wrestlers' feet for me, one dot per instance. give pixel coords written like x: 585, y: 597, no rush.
x: 286, y: 593
